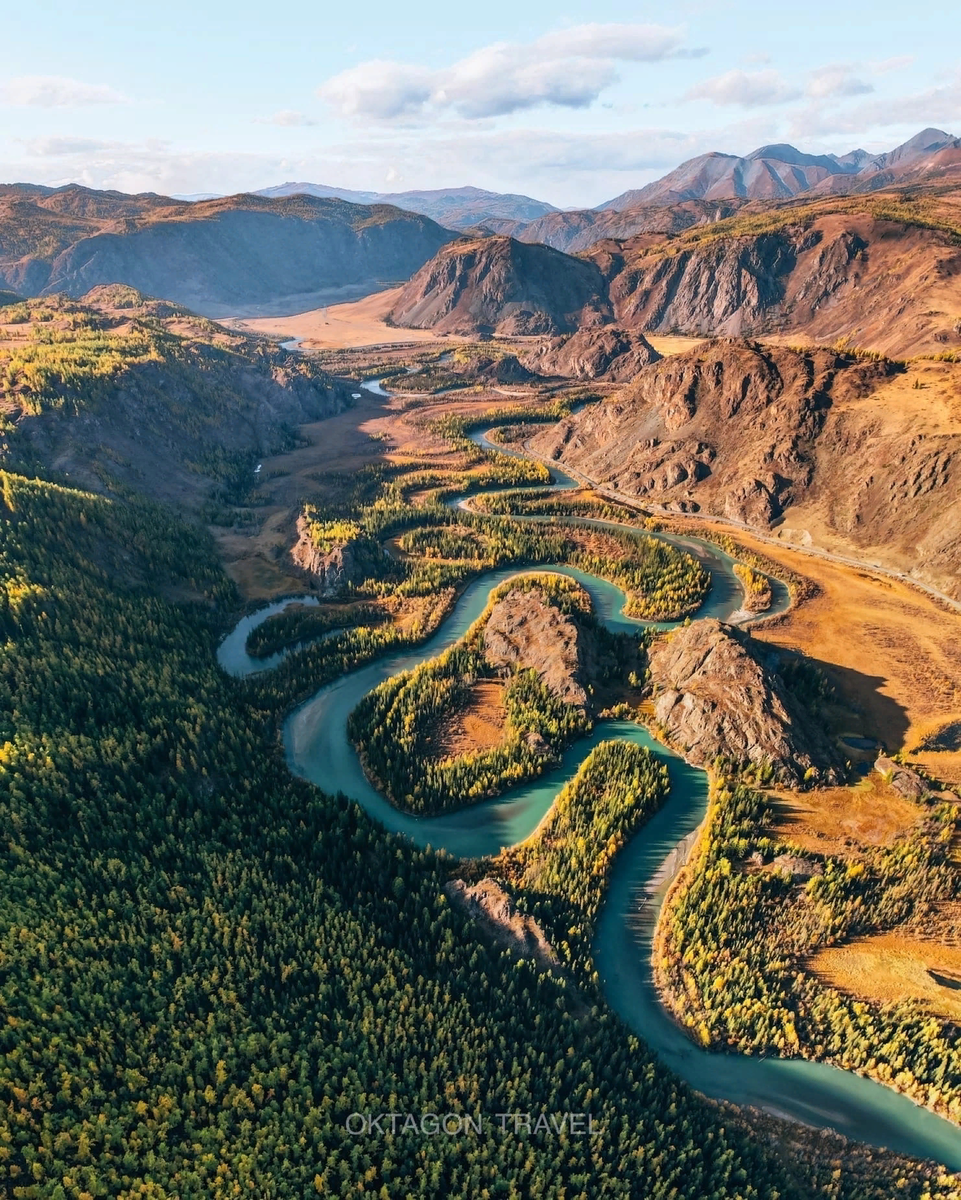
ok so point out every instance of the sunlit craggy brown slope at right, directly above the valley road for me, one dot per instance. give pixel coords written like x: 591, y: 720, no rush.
x: 852, y: 454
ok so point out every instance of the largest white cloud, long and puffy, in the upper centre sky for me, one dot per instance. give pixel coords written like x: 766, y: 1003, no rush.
x: 569, y: 69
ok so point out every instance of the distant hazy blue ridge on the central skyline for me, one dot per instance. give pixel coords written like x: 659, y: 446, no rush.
x: 455, y: 208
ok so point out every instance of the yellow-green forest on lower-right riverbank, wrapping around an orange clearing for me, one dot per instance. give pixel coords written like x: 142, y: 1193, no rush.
x: 735, y: 944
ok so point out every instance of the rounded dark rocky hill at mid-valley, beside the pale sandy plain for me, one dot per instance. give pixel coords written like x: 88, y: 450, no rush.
x: 503, y: 286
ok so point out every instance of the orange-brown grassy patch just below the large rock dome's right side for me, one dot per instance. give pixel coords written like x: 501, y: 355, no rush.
x: 842, y: 820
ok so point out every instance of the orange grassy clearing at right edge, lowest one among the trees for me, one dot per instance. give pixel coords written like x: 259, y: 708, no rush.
x: 892, y: 968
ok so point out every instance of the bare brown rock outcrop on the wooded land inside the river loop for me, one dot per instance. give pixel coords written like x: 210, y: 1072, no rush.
x: 525, y: 632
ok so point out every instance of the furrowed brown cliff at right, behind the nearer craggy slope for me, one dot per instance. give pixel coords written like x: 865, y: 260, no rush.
x: 881, y: 284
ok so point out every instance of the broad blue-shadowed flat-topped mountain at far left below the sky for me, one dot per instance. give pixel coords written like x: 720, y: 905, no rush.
x: 219, y: 257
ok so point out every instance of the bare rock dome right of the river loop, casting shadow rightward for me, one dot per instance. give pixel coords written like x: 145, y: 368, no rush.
x: 714, y: 695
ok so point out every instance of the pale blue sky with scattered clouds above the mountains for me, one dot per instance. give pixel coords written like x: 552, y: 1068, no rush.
x: 572, y: 104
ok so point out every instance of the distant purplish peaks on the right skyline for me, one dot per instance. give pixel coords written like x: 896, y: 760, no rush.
x: 779, y: 172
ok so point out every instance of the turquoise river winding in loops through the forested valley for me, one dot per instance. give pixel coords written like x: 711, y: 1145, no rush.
x: 320, y: 751
